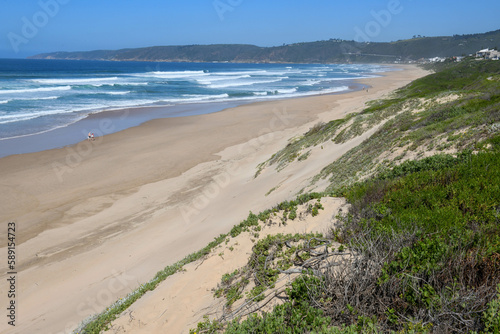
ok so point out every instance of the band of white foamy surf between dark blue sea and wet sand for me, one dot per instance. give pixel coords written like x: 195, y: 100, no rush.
x: 259, y: 84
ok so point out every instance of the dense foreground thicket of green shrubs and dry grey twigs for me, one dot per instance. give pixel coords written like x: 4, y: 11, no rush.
x: 426, y: 245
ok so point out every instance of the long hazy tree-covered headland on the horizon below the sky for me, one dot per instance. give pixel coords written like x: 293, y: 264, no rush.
x: 331, y: 51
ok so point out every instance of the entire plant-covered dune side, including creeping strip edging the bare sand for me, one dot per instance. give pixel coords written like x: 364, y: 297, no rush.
x: 418, y: 250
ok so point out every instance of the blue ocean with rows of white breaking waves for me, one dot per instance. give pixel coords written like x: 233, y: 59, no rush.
x: 39, y: 96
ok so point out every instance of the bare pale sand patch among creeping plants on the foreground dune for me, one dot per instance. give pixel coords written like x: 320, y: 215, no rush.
x: 183, y: 299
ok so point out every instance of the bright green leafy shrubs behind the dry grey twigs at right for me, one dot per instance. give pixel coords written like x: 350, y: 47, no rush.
x: 453, y: 207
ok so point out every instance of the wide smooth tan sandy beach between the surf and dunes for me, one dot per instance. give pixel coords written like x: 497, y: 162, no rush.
x: 97, y: 219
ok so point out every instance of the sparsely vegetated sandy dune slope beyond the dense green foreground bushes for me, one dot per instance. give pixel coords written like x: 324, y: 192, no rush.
x: 446, y: 112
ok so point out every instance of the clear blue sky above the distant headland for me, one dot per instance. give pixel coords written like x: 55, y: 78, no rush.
x: 28, y: 27
